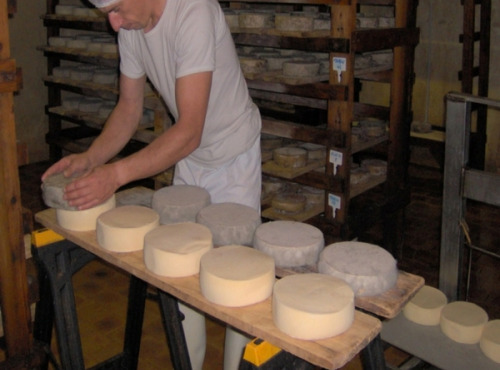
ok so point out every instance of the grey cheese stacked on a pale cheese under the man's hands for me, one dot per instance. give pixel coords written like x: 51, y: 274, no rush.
x: 67, y: 216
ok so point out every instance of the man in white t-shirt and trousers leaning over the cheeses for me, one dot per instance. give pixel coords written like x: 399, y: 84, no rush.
x: 186, y: 50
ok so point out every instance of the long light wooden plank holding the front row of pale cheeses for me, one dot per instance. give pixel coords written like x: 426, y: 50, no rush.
x: 256, y: 320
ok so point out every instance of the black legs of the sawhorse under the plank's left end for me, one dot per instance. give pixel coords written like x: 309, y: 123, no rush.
x: 59, y: 262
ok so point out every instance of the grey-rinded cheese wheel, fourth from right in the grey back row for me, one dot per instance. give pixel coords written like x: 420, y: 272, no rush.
x: 179, y: 203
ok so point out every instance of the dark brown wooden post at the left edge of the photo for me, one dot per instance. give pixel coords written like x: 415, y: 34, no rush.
x: 13, y: 279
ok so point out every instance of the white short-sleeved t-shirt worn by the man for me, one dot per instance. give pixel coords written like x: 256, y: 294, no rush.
x: 192, y: 36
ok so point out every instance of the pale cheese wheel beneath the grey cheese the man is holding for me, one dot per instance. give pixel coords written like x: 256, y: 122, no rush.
x: 83, y: 220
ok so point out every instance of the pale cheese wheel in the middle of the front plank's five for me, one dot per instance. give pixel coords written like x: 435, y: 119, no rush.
x: 175, y: 250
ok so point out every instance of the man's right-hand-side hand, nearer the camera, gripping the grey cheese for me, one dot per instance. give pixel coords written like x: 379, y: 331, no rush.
x: 93, y: 188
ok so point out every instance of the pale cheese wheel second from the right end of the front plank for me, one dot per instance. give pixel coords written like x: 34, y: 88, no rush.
x: 236, y: 276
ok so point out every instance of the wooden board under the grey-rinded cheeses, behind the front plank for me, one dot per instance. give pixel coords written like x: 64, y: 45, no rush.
x: 388, y: 304
